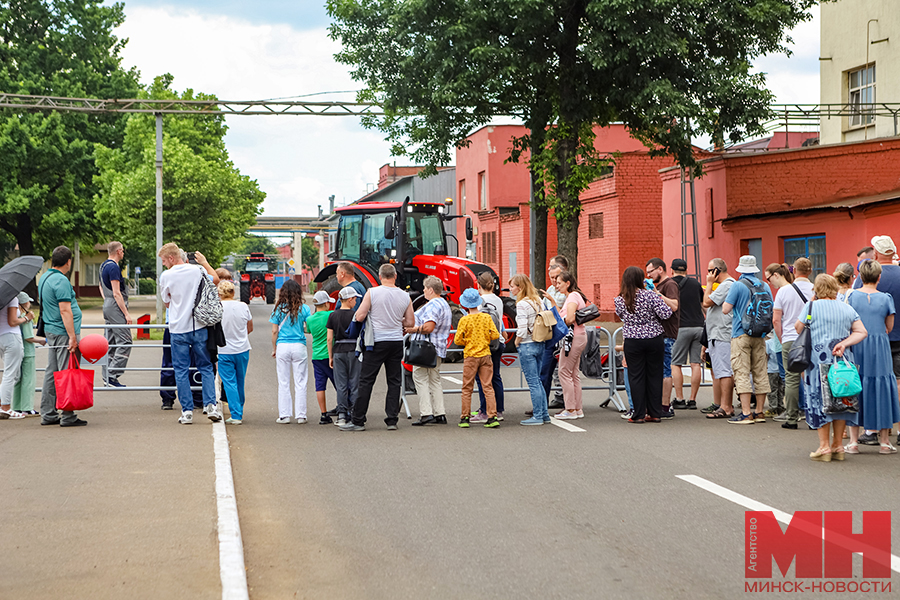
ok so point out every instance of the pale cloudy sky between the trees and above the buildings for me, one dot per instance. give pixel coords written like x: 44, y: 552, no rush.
x: 269, y: 49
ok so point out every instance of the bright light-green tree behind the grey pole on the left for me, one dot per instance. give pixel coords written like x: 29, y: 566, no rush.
x: 207, y: 203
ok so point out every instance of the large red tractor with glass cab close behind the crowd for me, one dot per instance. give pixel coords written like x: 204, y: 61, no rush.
x: 412, y: 236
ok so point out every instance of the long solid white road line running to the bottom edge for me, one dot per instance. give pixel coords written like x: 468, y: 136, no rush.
x: 231, y: 549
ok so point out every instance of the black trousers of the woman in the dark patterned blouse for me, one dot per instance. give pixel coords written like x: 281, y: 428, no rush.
x: 645, y: 370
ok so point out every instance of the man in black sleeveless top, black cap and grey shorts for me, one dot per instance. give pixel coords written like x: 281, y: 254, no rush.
x: 687, y: 345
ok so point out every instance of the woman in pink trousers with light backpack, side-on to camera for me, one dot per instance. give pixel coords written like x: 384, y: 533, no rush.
x: 569, y: 361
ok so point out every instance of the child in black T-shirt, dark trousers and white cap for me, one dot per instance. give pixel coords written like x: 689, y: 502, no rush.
x: 342, y: 354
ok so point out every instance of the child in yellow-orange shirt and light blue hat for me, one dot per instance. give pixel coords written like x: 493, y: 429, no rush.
x: 474, y: 334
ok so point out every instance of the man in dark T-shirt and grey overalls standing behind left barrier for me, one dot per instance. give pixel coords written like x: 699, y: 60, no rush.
x: 115, y: 312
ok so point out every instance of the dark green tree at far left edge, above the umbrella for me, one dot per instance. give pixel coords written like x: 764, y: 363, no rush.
x: 57, y: 48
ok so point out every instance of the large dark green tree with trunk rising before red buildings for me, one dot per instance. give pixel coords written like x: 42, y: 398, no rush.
x: 670, y: 70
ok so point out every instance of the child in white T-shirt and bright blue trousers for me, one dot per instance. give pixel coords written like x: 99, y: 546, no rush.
x: 237, y: 323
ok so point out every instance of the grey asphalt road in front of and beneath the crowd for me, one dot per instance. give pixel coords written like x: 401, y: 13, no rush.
x: 126, y: 506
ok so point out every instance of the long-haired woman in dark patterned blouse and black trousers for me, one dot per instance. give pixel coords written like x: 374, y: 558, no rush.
x: 640, y: 311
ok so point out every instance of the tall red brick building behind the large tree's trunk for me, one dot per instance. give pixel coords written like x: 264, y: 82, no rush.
x: 621, y: 224
